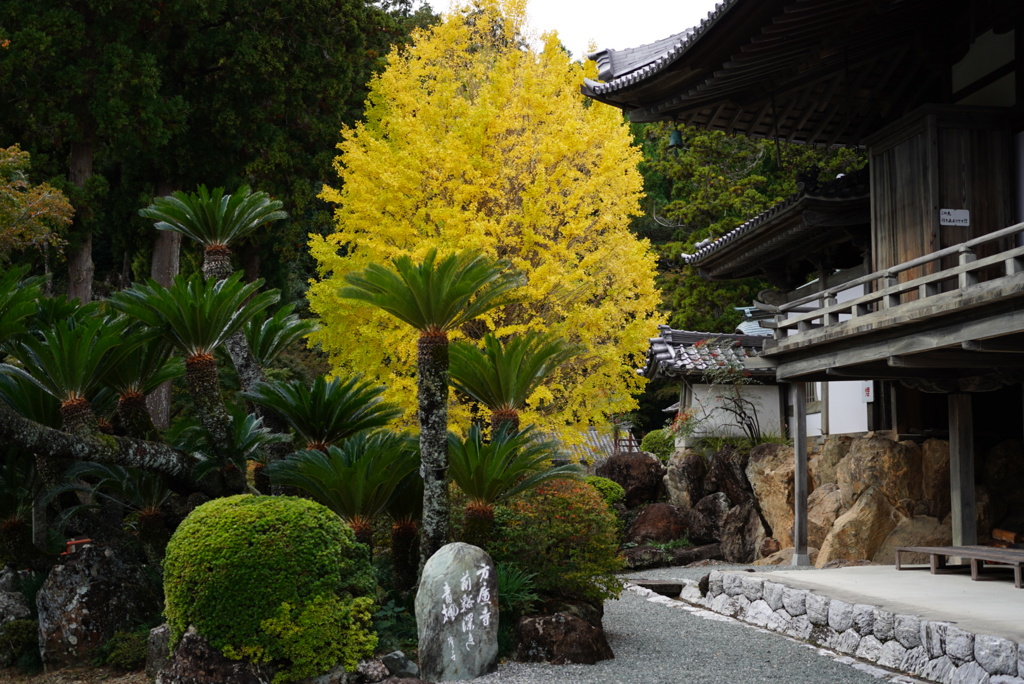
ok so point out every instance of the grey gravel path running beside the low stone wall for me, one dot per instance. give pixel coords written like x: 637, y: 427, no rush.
x: 660, y: 644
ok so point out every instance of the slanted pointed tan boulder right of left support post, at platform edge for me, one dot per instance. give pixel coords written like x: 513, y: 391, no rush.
x: 861, y: 532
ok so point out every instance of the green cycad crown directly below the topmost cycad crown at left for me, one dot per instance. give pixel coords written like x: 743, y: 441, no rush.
x: 195, y: 315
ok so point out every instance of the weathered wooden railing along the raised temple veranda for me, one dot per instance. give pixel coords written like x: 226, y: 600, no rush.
x: 887, y: 292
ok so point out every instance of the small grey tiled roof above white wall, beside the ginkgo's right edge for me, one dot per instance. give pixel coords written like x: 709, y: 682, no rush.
x: 680, y: 354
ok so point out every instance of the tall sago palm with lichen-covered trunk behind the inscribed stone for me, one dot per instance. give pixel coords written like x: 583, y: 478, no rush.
x: 435, y: 297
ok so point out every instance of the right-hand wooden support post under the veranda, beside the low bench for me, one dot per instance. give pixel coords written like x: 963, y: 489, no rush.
x: 965, y: 516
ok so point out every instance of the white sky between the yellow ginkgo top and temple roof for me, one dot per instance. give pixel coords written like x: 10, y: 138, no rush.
x: 614, y: 24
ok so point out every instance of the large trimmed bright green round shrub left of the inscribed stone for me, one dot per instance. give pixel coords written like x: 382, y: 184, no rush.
x: 272, y: 580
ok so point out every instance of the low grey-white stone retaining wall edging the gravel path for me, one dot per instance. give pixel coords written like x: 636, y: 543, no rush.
x: 935, y: 651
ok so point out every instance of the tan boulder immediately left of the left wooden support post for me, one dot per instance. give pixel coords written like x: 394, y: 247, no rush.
x: 770, y: 472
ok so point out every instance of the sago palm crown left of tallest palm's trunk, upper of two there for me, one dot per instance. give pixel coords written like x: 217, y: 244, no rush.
x: 329, y: 411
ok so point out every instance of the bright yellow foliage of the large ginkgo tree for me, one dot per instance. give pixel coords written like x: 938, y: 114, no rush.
x: 475, y: 141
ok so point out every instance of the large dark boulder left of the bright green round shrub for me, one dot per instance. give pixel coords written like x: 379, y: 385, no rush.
x: 95, y: 593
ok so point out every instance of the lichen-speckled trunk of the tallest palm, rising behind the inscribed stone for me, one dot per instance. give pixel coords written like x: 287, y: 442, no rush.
x: 433, y: 396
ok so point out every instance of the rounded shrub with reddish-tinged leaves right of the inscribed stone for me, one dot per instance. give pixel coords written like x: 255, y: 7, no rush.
x: 565, y: 535
